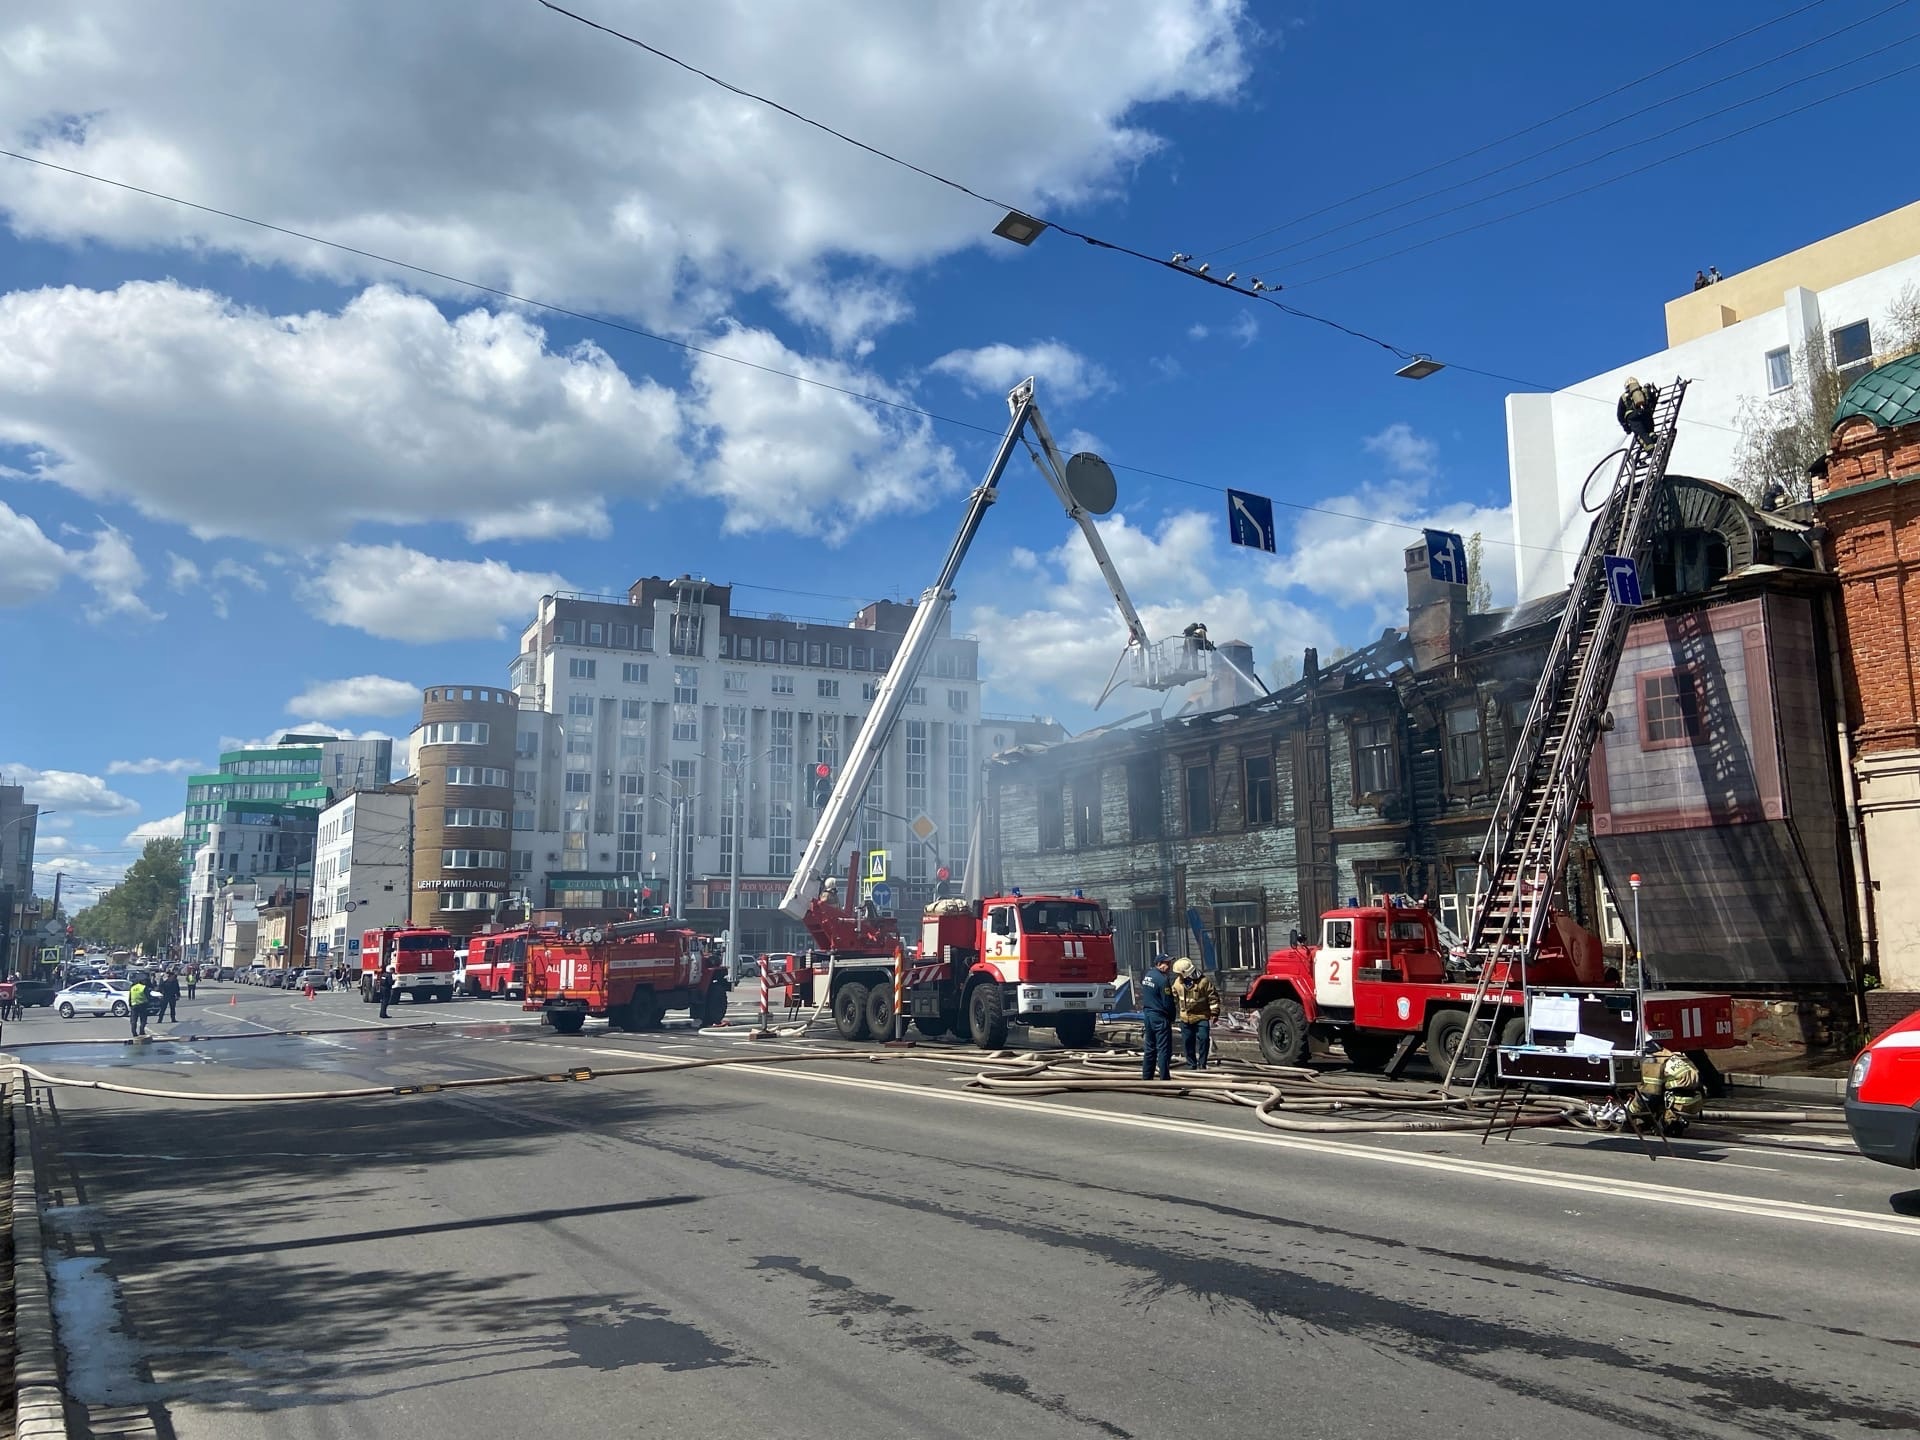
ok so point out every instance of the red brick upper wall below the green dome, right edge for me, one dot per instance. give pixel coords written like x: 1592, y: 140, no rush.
x: 1875, y: 540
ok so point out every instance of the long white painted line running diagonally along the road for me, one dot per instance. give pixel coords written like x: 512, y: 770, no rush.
x: 1547, y: 1180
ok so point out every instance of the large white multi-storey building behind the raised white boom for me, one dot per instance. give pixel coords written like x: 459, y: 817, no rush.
x: 636, y: 709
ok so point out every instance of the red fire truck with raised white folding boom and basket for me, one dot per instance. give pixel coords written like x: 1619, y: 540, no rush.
x: 982, y: 965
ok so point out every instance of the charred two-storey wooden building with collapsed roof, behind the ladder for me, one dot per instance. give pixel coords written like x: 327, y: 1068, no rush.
x: 1378, y: 775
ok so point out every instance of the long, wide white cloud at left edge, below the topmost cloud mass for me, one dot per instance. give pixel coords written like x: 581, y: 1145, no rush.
x: 187, y: 406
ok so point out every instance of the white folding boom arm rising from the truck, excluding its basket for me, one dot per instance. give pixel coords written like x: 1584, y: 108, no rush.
x: 838, y: 815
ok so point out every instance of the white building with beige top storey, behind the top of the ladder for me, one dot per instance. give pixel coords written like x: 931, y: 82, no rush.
x: 1739, y: 343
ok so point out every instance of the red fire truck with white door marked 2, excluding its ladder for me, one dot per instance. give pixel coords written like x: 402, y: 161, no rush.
x: 1381, y: 974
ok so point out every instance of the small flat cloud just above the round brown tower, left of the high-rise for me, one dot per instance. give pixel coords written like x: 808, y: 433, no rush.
x: 402, y: 594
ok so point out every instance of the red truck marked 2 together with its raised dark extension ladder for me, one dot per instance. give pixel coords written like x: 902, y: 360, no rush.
x: 1381, y: 982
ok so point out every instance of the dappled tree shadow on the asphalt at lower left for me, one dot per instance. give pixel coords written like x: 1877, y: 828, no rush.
x: 210, y: 1220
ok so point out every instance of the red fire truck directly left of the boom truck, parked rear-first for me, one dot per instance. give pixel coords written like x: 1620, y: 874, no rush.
x: 629, y: 974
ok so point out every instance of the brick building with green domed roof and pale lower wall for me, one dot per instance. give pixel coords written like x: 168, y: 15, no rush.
x: 1867, y: 494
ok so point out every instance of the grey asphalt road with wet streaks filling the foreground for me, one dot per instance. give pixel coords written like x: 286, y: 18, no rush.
x: 871, y: 1249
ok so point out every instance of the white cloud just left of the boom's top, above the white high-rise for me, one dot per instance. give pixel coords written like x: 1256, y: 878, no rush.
x: 784, y: 456
